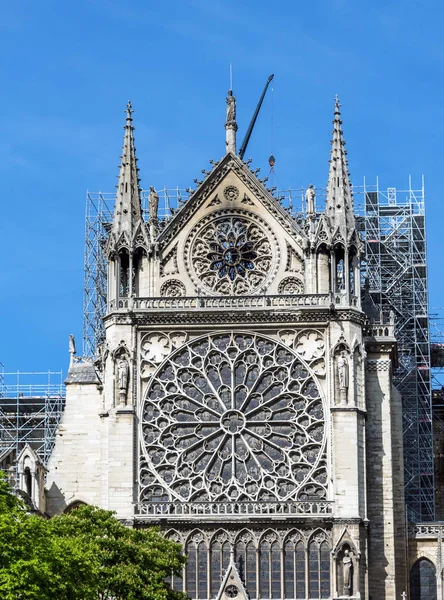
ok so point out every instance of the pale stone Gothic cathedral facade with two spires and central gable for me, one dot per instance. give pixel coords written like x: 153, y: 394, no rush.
x: 241, y: 400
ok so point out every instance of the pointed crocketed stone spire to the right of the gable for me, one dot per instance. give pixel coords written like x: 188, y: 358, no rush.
x: 339, y: 209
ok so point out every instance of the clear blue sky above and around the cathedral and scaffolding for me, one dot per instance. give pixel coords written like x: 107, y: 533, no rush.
x: 68, y: 69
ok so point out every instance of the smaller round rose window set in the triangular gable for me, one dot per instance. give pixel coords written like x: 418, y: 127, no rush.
x: 231, y: 254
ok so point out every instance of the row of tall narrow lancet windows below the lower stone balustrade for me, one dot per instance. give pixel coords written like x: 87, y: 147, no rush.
x: 283, y: 566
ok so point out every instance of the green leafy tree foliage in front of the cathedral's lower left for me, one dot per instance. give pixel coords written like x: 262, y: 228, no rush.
x: 84, y: 555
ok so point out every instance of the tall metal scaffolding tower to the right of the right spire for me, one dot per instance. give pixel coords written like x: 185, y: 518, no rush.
x: 395, y: 267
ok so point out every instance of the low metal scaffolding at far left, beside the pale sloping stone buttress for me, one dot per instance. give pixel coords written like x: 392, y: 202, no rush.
x: 31, y: 406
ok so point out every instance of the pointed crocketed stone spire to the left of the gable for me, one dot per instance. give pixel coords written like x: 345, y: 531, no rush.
x: 127, y: 210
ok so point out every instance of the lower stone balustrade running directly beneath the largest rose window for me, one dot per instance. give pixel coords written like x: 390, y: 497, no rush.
x: 229, y: 510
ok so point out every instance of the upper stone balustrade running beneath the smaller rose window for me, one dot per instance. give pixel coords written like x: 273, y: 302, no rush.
x: 224, y: 302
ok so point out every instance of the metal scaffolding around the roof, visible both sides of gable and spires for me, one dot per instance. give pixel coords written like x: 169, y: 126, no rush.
x: 392, y: 223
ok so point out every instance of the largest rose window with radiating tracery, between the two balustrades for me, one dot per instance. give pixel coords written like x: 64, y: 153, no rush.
x: 233, y: 417
